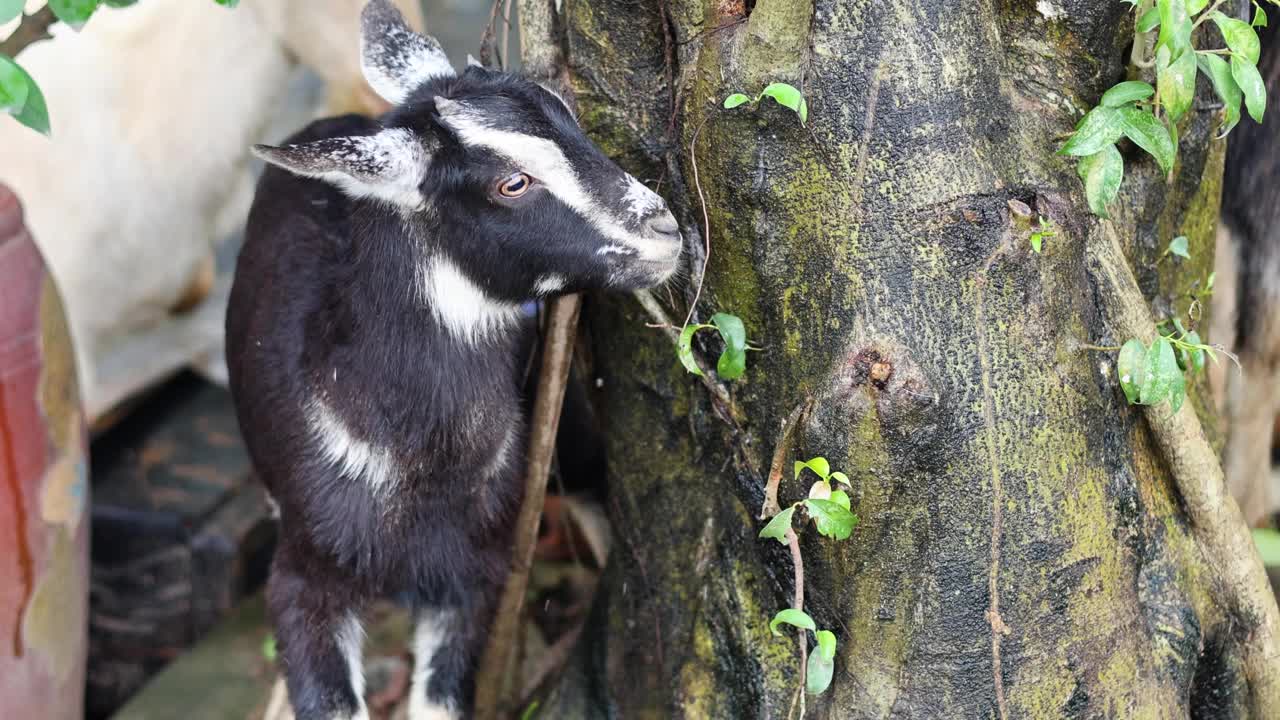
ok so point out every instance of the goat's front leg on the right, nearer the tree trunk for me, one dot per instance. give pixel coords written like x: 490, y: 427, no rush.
x: 447, y: 648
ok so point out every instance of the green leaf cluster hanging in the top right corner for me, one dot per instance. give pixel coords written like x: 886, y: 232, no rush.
x: 1149, y: 116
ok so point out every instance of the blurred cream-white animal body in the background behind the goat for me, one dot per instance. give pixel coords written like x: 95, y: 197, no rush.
x: 153, y: 110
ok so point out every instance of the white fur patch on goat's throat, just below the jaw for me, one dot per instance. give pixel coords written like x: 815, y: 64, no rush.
x: 461, y: 306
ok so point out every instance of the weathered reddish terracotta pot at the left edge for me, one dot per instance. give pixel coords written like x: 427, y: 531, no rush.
x: 44, y: 490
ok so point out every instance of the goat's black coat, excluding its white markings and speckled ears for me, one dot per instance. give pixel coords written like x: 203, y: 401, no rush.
x: 324, y: 307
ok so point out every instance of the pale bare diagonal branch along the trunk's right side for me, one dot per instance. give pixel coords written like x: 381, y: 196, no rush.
x: 1215, y: 520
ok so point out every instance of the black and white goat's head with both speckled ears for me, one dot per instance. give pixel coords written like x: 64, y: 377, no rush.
x: 493, y: 176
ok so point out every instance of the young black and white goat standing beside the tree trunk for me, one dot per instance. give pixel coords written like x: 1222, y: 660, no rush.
x: 372, y: 341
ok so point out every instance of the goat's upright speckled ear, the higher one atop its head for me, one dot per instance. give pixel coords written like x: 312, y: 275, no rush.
x: 395, y: 60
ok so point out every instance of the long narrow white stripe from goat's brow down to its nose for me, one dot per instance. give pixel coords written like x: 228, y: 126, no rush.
x: 543, y: 160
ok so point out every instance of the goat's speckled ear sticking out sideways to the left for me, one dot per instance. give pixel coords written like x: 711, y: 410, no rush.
x: 388, y: 166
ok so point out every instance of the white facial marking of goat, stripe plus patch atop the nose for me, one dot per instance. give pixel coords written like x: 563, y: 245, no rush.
x: 545, y: 160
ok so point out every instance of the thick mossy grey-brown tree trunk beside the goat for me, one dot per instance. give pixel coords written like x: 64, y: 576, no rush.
x: 1023, y: 550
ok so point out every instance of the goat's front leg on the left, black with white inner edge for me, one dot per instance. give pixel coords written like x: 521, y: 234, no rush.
x: 319, y: 639
